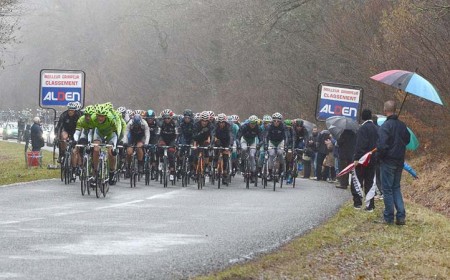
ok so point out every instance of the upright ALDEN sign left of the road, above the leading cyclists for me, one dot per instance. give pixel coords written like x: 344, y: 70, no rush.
x: 59, y: 87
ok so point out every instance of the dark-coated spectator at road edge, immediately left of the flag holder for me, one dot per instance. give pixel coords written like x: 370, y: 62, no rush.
x: 346, y: 144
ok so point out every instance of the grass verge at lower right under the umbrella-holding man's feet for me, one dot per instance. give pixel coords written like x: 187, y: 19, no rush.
x: 352, y: 246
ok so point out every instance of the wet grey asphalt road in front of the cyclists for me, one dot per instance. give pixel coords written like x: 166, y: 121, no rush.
x: 49, y: 231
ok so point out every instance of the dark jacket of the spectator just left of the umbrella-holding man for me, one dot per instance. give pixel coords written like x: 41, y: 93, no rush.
x: 366, y: 140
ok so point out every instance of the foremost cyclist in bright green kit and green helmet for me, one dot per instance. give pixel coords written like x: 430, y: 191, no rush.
x: 107, y: 130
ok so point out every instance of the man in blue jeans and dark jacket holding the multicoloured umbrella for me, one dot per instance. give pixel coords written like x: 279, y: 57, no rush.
x: 393, y: 137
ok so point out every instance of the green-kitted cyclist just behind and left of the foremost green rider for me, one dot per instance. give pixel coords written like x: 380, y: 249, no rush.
x: 82, y: 135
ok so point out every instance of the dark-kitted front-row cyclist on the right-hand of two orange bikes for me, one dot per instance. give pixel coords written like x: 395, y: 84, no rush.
x: 223, y: 137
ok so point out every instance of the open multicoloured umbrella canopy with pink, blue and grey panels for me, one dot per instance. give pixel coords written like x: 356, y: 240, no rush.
x: 409, y: 82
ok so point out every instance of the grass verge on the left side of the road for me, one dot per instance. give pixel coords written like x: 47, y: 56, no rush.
x: 14, y: 169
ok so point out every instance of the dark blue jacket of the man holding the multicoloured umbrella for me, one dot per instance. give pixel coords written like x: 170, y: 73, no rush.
x: 393, y: 136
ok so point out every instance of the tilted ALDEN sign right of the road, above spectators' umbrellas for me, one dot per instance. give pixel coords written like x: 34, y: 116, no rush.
x: 338, y: 100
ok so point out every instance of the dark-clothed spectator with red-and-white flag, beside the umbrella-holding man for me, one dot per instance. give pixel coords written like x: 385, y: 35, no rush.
x: 366, y: 141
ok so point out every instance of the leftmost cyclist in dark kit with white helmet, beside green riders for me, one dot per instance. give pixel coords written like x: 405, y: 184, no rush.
x: 66, y: 126
